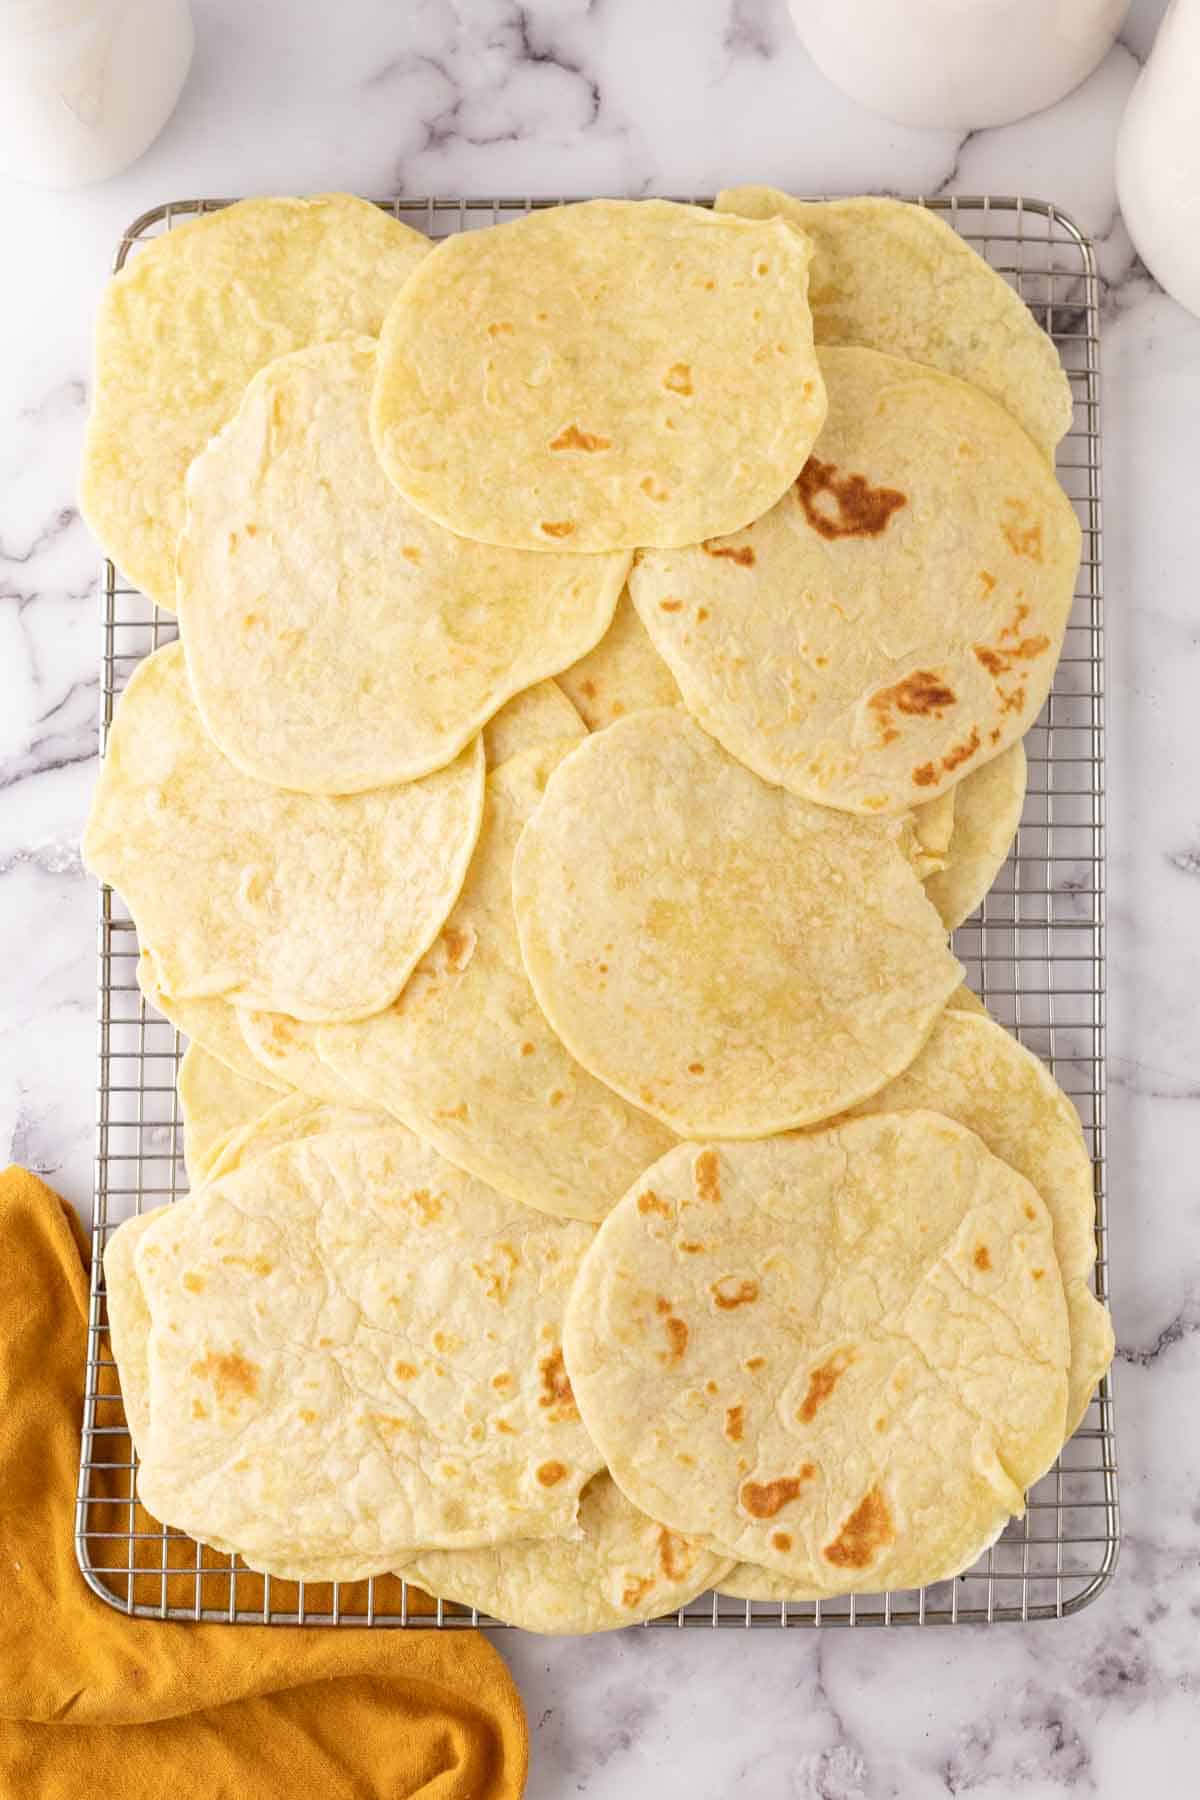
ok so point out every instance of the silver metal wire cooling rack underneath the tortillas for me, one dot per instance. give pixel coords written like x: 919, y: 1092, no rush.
x: 1035, y: 953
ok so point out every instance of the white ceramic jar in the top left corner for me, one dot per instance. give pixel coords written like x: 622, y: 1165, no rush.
x: 87, y: 85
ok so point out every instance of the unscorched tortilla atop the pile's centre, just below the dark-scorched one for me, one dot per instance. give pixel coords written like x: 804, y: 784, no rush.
x: 728, y: 957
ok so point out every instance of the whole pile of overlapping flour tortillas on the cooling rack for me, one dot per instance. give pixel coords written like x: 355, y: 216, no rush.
x: 605, y: 651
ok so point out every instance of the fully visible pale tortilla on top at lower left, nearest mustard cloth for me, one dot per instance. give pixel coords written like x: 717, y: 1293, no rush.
x: 355, y: 1349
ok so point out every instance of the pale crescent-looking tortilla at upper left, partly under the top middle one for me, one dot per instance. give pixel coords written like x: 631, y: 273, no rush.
x: 339, y: 640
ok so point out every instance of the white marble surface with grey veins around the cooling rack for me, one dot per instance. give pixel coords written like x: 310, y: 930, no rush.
x: 485, y: 96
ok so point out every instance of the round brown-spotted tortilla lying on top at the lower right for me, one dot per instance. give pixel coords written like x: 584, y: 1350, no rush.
x: 839, y: 1354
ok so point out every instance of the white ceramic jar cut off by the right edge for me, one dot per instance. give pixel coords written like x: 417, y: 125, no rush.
x: 1160, y: 157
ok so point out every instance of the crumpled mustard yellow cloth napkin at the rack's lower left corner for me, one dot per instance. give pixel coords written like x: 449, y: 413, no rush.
x: 96, y: 1704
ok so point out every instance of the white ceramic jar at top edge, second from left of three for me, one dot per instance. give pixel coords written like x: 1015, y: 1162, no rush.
x: 963, y: 64
